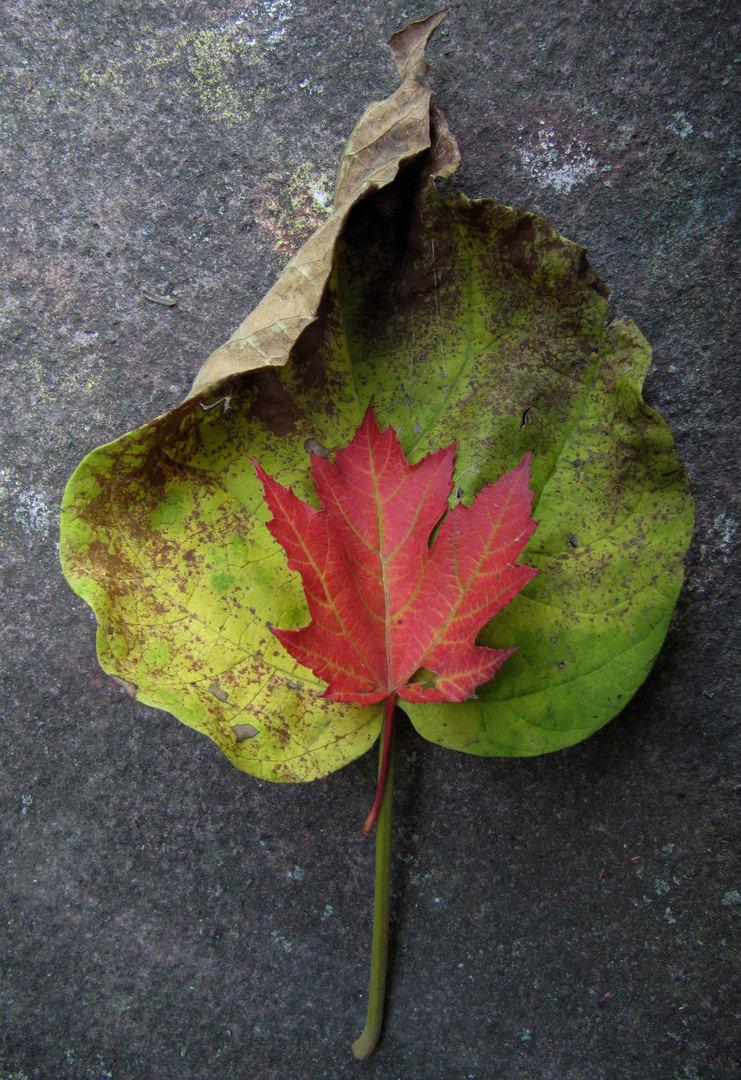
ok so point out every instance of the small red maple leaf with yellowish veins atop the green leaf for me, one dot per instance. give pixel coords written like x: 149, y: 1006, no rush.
x: 392, y: 614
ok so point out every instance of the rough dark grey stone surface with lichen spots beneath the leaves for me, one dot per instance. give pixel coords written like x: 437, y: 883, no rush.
x: 574, y: 916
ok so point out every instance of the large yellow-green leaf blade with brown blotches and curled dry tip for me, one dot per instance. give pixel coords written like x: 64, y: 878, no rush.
x: 466, y: 321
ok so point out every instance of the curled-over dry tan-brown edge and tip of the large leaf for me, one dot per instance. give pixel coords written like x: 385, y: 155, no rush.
x: 389, y: 133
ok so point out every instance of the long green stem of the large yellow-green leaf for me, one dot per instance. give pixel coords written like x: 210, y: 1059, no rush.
x: 363, y: 1047
